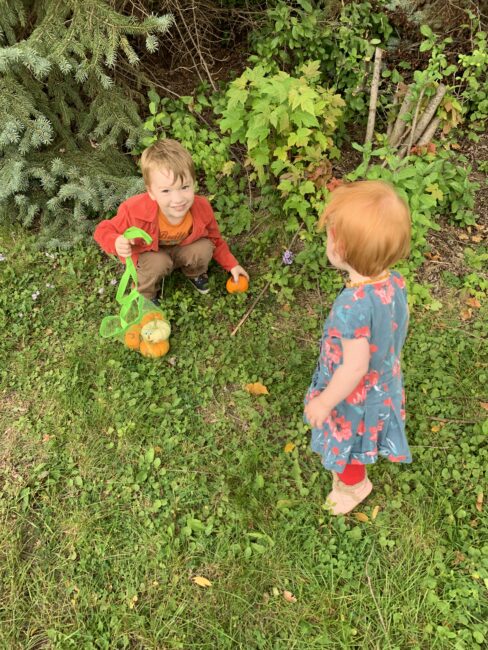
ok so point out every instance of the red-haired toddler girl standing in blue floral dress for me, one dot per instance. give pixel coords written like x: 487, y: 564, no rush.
x: 355, y: 404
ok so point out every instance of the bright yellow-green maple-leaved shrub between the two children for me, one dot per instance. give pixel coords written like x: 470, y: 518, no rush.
x: 286, y: 124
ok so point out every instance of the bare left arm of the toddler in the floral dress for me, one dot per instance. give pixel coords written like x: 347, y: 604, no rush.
x: 344, y: 380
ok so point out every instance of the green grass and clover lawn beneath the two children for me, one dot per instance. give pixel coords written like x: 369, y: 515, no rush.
x: 123, y: 478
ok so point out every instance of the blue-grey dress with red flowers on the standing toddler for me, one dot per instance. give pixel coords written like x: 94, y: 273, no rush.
x: 371, y: 420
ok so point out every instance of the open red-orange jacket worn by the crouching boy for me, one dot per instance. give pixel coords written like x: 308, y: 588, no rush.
x: 141, y: 211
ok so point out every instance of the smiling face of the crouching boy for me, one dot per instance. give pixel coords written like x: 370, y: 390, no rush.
x: 174, y: 197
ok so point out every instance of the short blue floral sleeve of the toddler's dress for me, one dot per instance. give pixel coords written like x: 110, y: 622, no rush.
x: 351, y: 317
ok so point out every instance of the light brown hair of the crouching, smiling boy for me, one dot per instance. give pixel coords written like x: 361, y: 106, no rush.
x: 170, y: 155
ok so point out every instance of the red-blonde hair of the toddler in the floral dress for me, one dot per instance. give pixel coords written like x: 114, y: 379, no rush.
x: 370, y: 225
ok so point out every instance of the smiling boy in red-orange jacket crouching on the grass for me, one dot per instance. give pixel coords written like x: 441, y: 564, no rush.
x: 182, y: 225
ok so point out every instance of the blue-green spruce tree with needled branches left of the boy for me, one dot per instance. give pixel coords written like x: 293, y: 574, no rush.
x: 65, y: 116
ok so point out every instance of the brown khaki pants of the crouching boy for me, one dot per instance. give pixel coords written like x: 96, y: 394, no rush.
x: 153, y: 266
